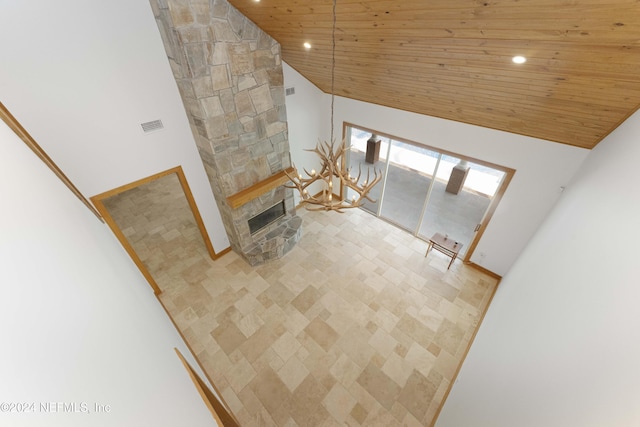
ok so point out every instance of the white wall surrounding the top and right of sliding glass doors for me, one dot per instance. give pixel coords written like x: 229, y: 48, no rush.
x: 542, y: 167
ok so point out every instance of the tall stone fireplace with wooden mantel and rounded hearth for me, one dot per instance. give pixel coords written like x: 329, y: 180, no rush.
x: 229, y: 74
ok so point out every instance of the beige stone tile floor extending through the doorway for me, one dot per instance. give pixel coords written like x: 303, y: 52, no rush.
x: 353, y: 327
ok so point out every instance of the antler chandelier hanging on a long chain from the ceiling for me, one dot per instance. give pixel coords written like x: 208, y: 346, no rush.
x: 333, y: 165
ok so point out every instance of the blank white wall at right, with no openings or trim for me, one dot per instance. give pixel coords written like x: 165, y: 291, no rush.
x: 560, y: 345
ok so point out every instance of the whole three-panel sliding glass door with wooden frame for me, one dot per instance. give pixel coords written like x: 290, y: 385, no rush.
x: 426, y: 190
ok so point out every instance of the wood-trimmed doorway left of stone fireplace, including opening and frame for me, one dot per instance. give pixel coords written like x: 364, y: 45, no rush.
x: 156, y: 217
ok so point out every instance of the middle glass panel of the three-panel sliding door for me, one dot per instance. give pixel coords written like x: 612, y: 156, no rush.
x: 410, y: 174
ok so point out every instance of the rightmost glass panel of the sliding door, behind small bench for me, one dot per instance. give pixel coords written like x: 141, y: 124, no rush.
x: 460, y: 197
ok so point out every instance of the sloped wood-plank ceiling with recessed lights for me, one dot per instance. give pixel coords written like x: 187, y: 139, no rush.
x: 452, y: 59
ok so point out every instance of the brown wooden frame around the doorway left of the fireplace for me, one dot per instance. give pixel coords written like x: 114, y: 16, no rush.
x: 98, y: 199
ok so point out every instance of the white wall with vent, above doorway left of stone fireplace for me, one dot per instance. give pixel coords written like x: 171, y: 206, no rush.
x: 81, y: 76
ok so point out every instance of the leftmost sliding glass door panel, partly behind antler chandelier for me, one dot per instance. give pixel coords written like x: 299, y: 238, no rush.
x: 357, y: 161
